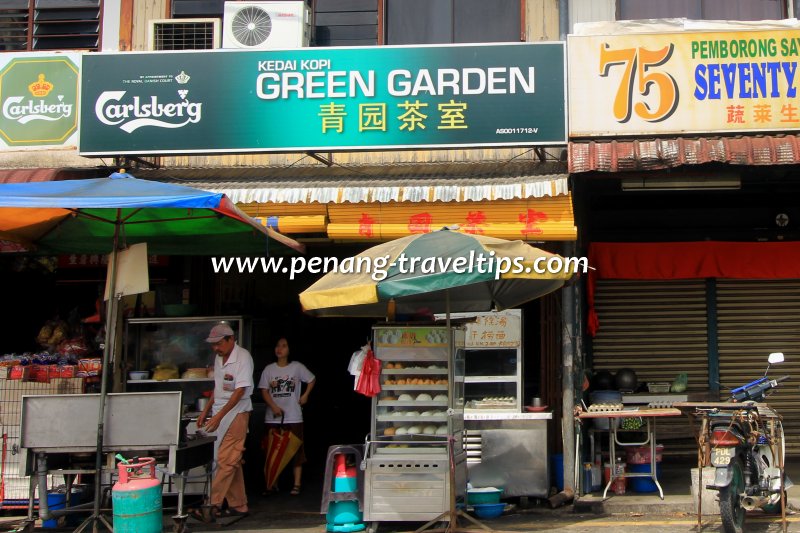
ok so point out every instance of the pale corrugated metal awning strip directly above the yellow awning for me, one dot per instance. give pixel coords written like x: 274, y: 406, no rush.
x: 457, y: 182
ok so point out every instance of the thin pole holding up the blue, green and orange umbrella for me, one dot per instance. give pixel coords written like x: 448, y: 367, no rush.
x: 110, y: 339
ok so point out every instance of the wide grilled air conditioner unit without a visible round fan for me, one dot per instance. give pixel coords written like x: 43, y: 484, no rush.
x: 184, y: 34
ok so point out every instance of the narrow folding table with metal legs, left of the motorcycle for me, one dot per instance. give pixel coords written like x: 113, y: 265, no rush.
x: 649, y: 416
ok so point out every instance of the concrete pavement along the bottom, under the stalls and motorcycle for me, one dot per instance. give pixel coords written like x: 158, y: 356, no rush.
x: 283, y: 513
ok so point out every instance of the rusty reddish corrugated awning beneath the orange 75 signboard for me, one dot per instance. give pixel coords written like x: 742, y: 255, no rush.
x: 624, y: 155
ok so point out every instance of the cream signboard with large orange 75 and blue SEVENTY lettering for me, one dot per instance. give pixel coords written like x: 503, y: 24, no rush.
x: 688, y: 82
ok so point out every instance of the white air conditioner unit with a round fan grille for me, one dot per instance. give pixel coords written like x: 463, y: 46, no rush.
x: 266, y: 25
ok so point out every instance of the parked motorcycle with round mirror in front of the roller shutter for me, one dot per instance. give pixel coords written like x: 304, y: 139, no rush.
x: 744, y: 443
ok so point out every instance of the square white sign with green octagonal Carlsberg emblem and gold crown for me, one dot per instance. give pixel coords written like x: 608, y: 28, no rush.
x: 39, y: 100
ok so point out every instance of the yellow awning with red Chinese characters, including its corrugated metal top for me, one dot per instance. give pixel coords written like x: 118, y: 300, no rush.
x: 507, y: 200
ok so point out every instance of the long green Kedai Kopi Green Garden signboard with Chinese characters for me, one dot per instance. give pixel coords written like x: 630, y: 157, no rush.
x: 227, y: 101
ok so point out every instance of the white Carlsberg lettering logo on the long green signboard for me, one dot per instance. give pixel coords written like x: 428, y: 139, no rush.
x: 112, y: 111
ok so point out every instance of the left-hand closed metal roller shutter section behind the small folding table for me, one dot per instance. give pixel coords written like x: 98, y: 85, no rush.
x: 659, y: 329
